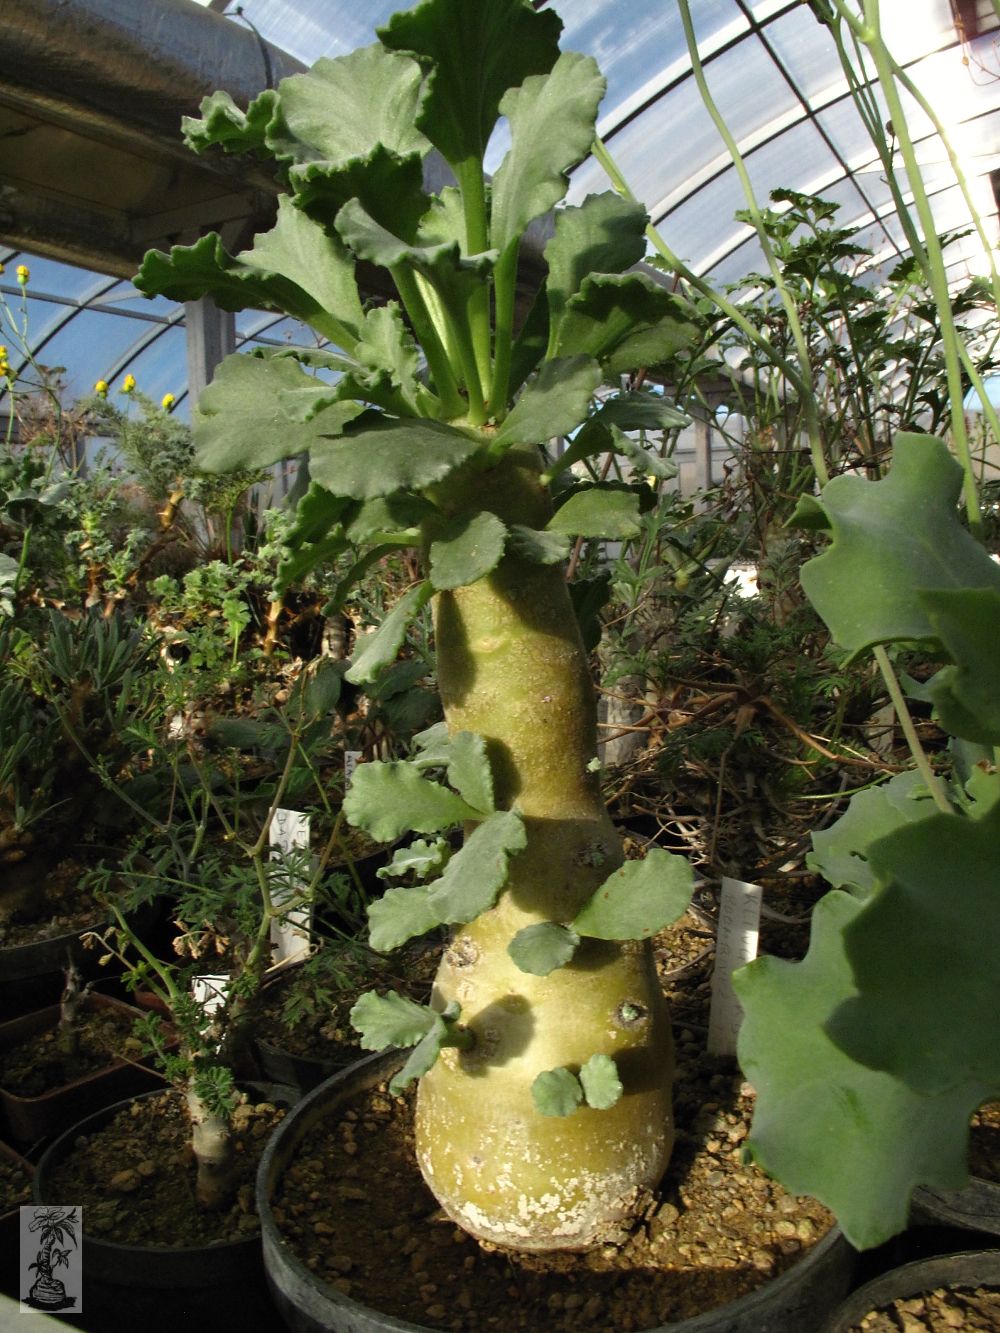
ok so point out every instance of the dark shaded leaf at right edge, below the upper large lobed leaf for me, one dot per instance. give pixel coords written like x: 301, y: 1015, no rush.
x: 967, y: 695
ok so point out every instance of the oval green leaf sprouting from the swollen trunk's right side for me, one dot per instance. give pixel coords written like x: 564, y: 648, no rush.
x: 639, y: 899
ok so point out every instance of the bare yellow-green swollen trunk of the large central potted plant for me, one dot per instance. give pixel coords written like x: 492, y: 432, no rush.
x: 513, y: 668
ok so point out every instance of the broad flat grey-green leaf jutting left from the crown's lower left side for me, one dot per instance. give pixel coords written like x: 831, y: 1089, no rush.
x: 241, y: 422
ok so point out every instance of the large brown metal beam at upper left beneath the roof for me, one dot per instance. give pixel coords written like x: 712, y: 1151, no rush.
x: 93, y: 94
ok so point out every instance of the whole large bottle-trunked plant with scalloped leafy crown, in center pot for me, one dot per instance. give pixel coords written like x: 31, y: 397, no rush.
x: 545, y: 1106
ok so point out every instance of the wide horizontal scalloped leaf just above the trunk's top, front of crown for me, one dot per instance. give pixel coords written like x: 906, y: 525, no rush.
x: 381, y: 455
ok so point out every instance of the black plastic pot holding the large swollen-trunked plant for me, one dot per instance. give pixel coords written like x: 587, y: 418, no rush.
x: 794, y: 1303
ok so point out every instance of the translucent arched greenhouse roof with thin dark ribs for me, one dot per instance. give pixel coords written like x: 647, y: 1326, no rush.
x: 779, y: 91
